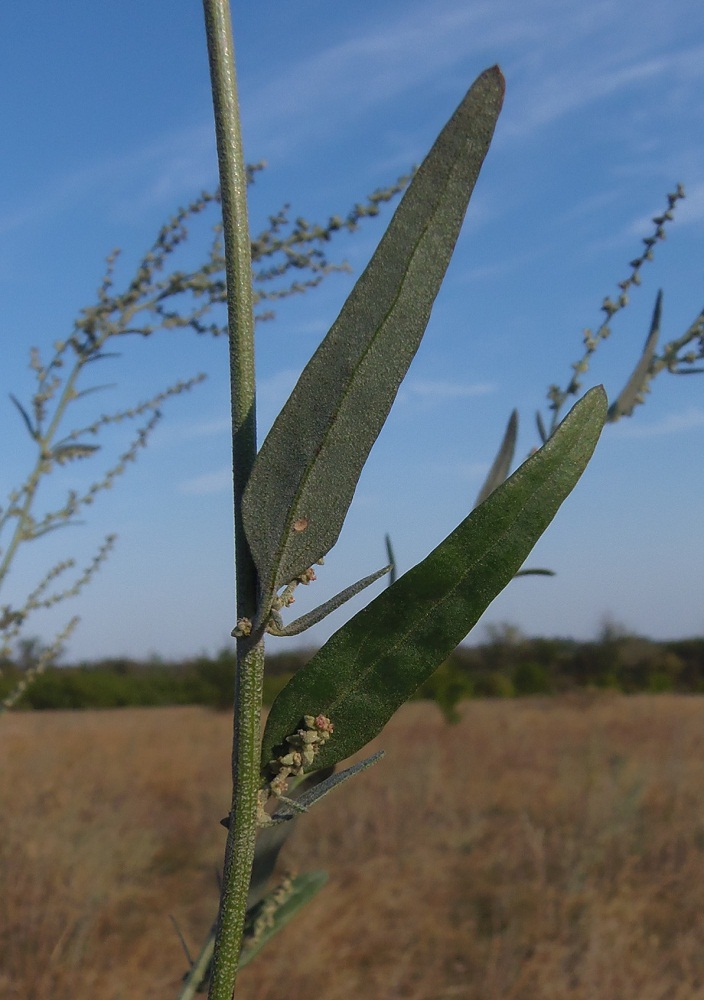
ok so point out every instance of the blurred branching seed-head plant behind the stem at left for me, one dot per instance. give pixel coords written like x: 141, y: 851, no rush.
x: 289, y: 258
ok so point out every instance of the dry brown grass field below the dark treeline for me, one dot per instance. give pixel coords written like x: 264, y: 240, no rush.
x: 538, y: 850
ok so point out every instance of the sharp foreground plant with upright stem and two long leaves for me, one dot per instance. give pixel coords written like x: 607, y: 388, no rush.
x: 292, y: 496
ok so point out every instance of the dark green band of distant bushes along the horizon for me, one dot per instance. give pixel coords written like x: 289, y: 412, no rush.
x: 507, y: 665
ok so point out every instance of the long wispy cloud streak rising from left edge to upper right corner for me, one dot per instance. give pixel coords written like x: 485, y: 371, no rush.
x: 541, y: 46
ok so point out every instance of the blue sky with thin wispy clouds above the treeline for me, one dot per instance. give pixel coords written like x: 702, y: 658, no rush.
x: 107, y: 129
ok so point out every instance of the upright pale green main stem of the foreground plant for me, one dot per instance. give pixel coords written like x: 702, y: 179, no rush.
x: 239, y: 852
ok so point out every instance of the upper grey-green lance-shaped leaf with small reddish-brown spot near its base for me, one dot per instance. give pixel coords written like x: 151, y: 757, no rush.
x: 306, y: 472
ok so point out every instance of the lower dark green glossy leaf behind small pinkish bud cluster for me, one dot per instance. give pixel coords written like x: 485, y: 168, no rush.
x: 377, y: 660
